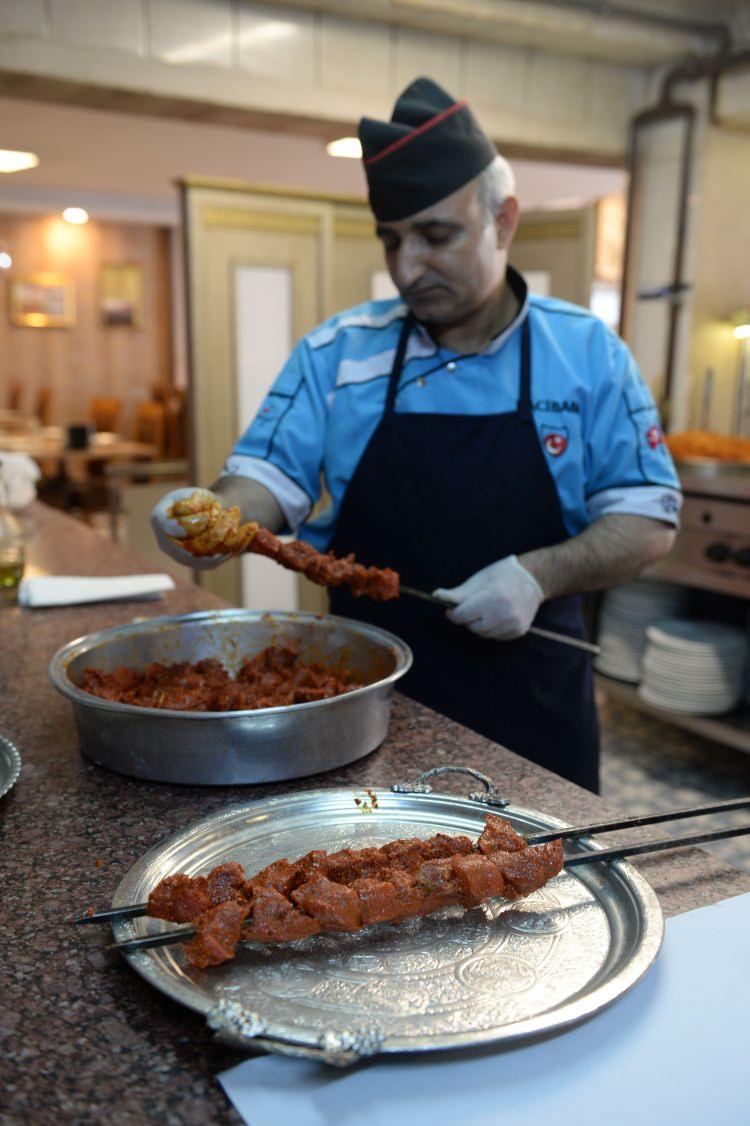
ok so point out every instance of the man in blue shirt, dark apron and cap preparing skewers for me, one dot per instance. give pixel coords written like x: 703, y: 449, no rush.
x: 499, y: 448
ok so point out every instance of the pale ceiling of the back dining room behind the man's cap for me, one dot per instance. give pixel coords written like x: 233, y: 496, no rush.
x: 124, y: 167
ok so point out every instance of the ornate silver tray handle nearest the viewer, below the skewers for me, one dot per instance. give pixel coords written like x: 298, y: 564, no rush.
x: 237, y: 1026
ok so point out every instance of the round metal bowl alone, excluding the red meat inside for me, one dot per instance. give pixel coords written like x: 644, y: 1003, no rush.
x: 221, y: 748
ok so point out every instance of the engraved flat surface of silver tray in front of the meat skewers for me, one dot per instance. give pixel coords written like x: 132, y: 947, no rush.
x: 436, y: 976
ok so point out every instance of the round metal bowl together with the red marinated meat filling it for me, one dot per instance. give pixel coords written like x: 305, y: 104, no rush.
x: 224, y: 745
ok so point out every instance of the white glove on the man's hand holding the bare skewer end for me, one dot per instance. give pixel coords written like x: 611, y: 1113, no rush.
x: 499, y: 602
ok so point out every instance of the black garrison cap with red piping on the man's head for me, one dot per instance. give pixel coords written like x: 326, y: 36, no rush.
x: 430, y: 149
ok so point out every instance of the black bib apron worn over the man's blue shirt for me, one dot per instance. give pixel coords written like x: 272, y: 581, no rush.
x: 439, y: 497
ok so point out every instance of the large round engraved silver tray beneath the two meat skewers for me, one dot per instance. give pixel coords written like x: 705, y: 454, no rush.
x: 458, y: 979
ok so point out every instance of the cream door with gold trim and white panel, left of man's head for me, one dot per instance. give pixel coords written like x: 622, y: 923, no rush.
x: 264, y: 269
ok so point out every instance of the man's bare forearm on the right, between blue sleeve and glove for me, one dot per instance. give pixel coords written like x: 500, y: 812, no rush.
x: 612, y: 550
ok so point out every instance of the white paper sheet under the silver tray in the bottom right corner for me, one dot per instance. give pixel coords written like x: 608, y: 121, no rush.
x: 672, y: 1052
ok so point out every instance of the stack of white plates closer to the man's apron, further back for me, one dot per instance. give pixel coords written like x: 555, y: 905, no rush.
x: 626, y: 613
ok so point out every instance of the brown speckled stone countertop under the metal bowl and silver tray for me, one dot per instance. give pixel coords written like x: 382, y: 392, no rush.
x: 83, y: 1038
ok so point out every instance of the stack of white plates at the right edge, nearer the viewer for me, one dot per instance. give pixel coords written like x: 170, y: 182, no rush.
x: 697, y: 667
